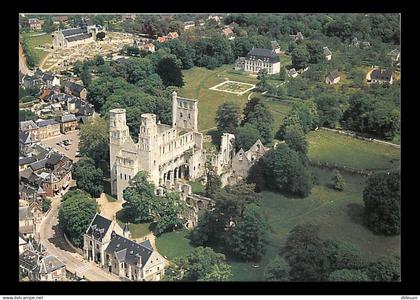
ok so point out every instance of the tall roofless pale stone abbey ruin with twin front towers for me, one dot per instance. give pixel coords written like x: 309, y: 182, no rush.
x: 169, y: 153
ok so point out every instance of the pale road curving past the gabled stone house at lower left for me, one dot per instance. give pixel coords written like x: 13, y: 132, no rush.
x: 53, y: 239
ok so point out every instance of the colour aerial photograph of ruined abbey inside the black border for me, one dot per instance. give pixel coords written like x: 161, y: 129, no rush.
x: 209, y: 147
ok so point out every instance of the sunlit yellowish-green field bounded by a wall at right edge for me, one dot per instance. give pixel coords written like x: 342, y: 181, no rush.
x: 351, y: 152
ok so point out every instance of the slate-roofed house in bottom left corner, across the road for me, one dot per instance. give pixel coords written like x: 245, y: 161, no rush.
x: 38, y: 267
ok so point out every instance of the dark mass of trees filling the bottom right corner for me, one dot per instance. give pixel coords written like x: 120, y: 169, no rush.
x: 307, y: 257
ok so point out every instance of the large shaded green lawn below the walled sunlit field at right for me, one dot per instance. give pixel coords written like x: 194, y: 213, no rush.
x: 337, y: 213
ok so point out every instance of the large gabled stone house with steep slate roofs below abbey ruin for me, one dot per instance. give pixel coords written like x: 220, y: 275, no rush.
x: 109, y: 246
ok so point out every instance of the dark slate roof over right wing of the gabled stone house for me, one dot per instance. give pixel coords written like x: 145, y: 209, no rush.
x: 128, y: 251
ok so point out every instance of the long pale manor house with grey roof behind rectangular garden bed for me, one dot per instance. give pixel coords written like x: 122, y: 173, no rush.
x: 259, y: 58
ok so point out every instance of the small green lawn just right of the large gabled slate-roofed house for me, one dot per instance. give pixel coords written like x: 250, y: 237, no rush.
x: 174, y: 244
